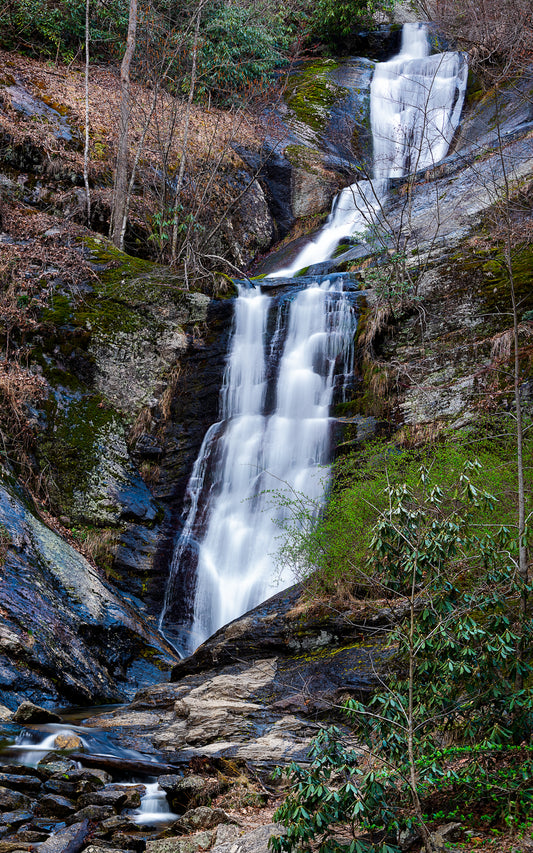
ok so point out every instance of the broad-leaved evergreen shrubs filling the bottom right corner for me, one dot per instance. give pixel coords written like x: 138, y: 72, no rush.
x: 448, y: 725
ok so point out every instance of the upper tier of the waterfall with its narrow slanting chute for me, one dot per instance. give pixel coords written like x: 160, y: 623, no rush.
x: 415, y: 107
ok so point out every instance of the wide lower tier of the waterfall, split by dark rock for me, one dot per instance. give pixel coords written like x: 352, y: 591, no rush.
x: 233, y: 528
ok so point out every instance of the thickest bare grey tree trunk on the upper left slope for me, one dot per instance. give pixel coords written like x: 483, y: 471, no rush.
x: 119, y: 213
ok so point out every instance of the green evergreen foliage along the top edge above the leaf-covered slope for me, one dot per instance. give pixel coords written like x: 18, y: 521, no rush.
x: 241, y: 43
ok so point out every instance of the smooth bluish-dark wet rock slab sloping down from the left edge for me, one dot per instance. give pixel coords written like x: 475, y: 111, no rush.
x: 59, y: 617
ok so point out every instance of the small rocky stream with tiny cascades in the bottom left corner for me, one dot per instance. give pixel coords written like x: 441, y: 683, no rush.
x: 52, y: 776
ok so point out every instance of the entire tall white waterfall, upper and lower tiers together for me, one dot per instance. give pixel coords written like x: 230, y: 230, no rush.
x: 290, y: 356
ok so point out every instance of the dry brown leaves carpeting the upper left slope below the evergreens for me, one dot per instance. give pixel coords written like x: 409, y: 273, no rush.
x: 62, y: 87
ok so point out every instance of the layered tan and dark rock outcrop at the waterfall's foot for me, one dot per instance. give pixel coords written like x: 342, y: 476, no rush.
x: 254, y: 691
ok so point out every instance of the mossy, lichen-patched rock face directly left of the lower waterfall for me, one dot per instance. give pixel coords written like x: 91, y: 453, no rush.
x: 115, y: 352
